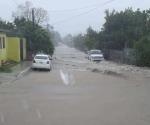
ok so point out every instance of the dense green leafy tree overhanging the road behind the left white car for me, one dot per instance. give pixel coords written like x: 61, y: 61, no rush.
x: 38, y: 38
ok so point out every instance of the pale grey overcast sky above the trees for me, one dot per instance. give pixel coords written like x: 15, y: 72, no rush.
x: 74, y: 16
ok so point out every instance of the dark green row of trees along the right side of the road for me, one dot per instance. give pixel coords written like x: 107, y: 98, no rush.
x: 122, y: 29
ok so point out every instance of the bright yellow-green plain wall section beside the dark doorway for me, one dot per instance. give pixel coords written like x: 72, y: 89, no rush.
x: 13, y: 49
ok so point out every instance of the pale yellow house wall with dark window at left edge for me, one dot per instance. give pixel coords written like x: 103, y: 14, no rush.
x: 3, y: 46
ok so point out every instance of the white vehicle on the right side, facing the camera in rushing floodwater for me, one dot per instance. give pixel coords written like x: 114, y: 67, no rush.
x: 95, y: 55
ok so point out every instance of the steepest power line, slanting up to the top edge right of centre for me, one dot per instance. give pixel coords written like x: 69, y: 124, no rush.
x: 89, y: 11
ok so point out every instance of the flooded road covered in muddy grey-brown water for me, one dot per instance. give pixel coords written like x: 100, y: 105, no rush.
x: 72, y: 95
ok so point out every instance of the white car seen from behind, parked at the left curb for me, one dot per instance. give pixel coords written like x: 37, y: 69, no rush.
x: 42, y: 61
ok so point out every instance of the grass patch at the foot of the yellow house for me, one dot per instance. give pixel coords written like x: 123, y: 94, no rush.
x: 7, y: 67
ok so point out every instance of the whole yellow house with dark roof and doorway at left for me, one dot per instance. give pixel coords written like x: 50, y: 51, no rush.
x: 12, y: 47
